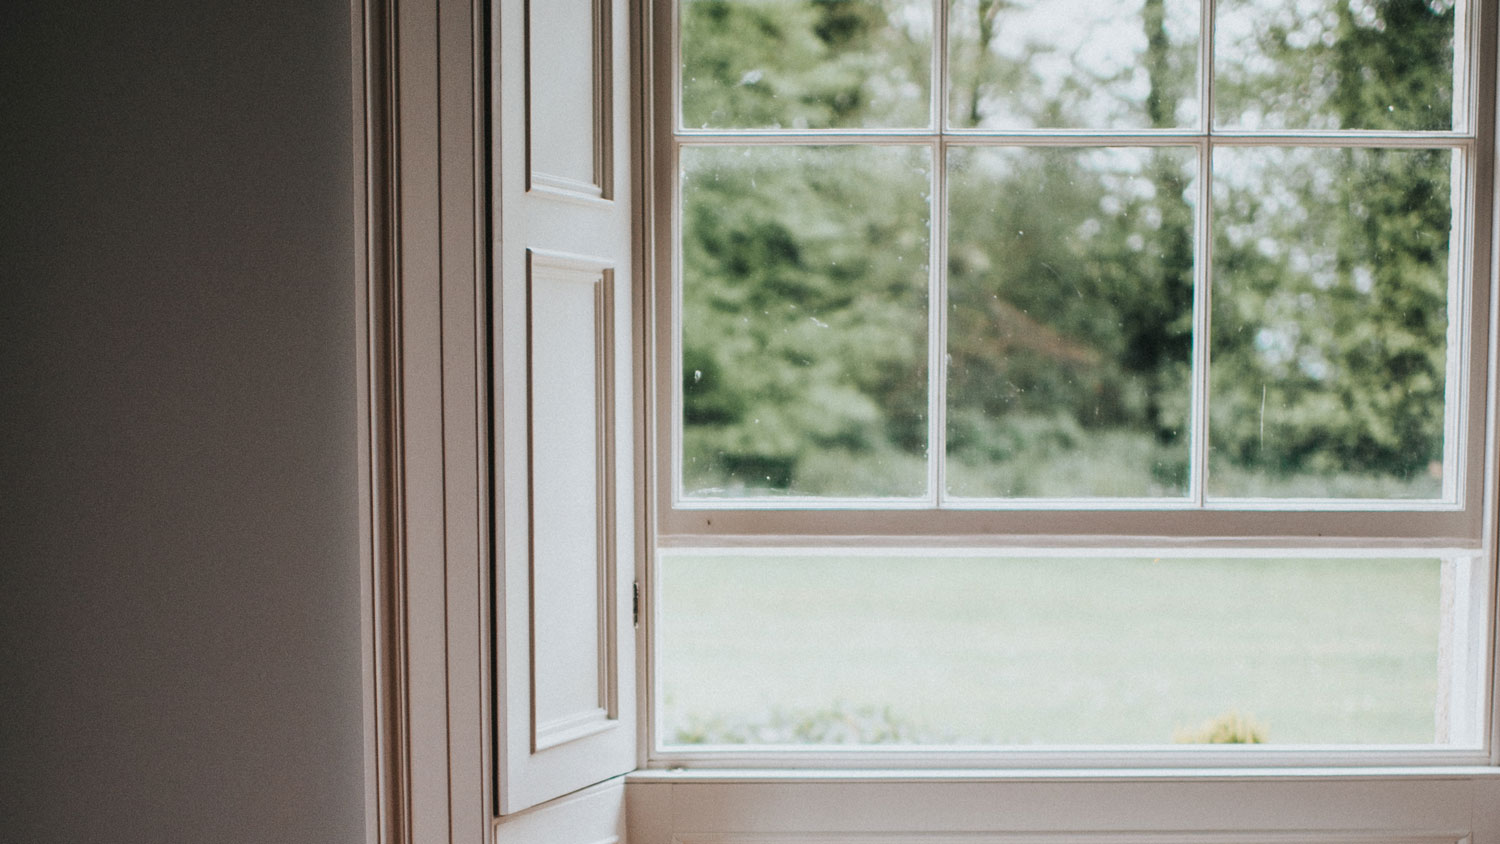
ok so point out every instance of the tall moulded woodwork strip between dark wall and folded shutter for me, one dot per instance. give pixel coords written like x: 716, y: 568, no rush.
x: 421, y: 164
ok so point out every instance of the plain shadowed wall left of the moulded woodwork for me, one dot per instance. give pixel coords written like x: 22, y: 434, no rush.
x: 179, y: 575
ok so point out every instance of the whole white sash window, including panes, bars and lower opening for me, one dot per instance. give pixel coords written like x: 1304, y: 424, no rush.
x: 1072, y: 374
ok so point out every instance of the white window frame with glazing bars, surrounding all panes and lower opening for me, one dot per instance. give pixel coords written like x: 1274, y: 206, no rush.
x: 1454, y: 528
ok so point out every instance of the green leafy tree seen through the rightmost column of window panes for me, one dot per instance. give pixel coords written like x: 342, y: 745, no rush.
x: 1330, y: 344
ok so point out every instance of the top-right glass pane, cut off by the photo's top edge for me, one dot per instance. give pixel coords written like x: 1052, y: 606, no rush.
x: 1334, y: 64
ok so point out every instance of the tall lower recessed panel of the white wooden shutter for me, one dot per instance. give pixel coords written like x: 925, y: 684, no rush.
x: 571, y: 497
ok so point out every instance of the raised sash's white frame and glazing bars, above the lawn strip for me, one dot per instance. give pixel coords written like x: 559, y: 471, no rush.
x: 1453, y: 519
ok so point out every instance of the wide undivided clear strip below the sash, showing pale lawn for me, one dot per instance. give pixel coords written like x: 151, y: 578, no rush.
x: 808, y: 650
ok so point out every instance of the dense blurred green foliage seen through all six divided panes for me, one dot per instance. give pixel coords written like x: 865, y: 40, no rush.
x: 1070, y: 299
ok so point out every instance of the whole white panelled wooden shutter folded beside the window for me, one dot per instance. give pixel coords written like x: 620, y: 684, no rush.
x: 565, y: 422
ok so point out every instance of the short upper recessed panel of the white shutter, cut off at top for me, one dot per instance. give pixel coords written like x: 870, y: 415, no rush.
x: 568, y: 116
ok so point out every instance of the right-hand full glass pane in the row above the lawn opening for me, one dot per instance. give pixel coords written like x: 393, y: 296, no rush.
x: 1330, y: 358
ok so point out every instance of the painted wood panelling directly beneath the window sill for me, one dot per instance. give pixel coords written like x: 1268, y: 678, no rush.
x: 1280, y: 809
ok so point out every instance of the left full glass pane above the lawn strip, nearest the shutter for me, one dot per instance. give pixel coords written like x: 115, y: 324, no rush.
x: 805, y: 322
